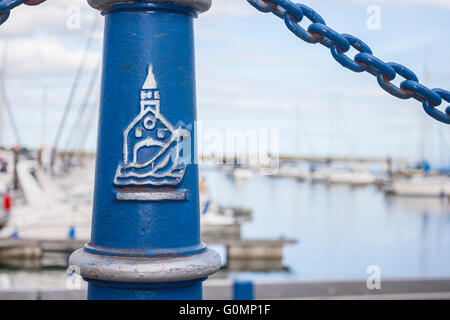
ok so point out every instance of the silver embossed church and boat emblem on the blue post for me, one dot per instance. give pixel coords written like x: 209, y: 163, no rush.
x: 151, y: 147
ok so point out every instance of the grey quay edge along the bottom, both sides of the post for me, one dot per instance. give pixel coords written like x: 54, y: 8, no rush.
x: 391, y: 289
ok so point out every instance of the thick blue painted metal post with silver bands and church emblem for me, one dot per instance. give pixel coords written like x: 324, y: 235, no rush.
x: 145, y: 240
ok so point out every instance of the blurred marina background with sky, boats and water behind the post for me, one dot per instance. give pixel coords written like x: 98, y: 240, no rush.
x: 360, y: 179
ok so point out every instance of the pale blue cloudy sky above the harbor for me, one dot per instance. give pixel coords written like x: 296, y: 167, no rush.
x: 252, y: 72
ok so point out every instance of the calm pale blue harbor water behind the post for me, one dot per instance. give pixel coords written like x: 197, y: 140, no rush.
x: 341, y: 231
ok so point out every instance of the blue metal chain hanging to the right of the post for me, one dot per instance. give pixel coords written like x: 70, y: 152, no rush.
x: 339, y: 44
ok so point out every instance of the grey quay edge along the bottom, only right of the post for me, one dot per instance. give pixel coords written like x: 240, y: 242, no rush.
x: 391, y: 289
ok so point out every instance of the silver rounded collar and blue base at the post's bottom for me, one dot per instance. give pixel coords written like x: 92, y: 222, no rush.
x: 114, y: 277
